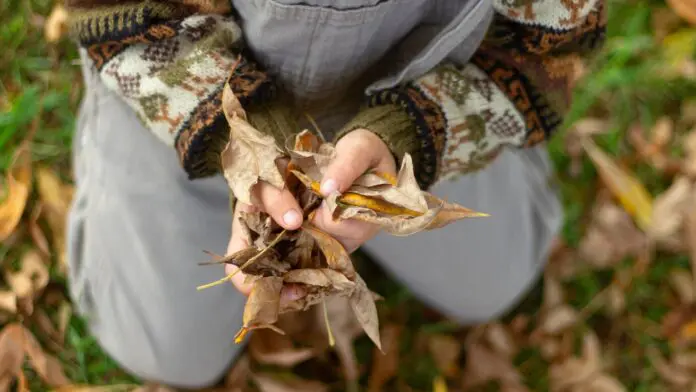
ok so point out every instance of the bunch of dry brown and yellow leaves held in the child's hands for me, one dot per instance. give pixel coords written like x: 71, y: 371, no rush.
x: 308, y: 256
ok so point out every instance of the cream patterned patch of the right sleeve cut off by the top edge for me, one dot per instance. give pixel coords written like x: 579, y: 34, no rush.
x: 554, y: 14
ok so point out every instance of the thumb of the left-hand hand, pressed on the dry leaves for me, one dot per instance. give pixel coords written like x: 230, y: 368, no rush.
x: 279, y: 204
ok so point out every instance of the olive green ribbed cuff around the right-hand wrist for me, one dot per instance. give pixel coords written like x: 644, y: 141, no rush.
x: 392, y: 124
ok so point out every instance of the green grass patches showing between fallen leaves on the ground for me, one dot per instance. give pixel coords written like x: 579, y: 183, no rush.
x: 40, y: 88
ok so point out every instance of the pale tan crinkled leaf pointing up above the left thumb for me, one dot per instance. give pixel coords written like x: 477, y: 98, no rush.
x: 249, y: 157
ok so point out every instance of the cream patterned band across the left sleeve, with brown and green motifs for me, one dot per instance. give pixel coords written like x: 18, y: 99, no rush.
x: 164, y: 82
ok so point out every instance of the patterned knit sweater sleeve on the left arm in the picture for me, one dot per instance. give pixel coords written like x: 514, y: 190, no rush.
x: 169, y: 61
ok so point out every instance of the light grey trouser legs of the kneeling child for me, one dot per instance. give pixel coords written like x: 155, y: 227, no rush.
x: 138, y: 226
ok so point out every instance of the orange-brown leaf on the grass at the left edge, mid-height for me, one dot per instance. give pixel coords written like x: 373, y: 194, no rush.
x: 18, y: 184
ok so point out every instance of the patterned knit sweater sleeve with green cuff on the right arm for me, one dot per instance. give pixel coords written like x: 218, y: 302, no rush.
x: 513, y: 92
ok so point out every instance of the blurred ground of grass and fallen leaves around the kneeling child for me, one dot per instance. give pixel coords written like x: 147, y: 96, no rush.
x: 616, y: 310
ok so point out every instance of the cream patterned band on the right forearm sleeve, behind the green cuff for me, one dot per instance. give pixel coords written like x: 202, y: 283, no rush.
x: 480, y: 117
